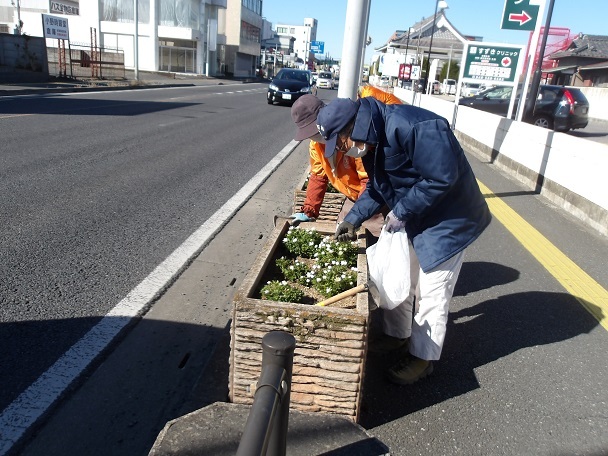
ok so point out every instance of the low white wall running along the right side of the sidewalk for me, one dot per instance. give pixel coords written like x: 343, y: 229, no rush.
x: 569, y: 171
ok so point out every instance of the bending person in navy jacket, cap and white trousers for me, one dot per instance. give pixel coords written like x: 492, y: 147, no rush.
x: 418, y: 169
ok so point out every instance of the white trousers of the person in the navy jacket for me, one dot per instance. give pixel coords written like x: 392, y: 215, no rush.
x: 434, y: 291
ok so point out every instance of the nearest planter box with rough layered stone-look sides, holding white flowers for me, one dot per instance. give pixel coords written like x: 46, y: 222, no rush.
x: 331, y: 342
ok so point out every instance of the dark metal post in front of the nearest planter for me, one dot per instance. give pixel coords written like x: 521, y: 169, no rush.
x: 265, y: 432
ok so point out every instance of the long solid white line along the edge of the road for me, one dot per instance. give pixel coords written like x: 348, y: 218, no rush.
x: 30, y: 405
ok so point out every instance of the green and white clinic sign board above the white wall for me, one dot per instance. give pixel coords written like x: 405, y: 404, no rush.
x: 490, y: 62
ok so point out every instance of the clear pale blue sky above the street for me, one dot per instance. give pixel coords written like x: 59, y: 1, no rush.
x: 470, y: 17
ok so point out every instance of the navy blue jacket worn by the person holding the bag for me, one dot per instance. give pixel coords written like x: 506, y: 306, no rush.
x: 419, y: 170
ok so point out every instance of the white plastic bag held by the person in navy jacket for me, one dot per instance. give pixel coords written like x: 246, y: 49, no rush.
x: 388, y: 262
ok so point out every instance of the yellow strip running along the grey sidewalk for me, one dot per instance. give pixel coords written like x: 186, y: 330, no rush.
x: 577, y: 282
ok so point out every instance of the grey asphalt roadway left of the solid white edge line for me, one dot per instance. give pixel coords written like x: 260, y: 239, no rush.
x: 100, y: 188
